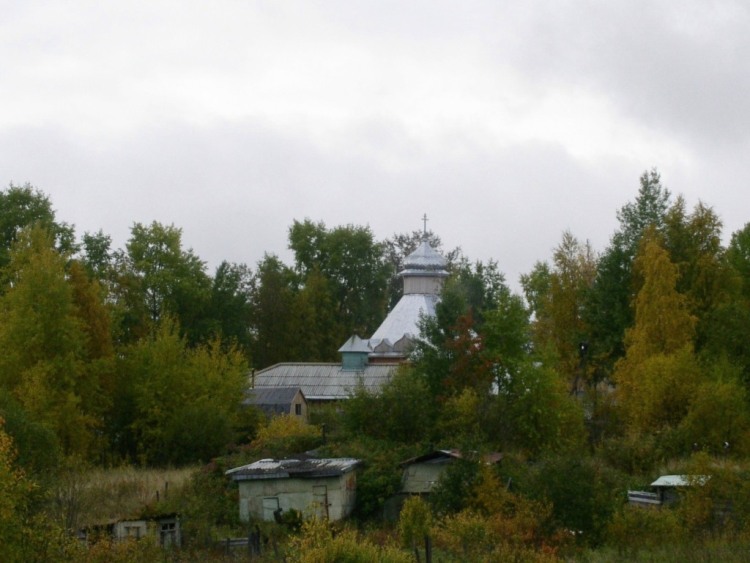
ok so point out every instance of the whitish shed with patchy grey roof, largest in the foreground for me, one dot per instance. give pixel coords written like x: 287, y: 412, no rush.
x: 325, y: 488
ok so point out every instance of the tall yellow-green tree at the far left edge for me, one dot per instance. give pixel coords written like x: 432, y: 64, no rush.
x: 45, y: 343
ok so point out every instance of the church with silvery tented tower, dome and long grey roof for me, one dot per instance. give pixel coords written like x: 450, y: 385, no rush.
x: 370, y: 362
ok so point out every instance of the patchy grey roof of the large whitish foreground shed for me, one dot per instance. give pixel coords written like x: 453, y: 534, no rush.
x: 293, y: 468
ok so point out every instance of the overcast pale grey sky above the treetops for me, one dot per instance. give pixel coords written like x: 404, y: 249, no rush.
x: 507, y: 123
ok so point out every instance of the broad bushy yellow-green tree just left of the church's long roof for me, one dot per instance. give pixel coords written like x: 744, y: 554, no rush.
x: 178, y: 404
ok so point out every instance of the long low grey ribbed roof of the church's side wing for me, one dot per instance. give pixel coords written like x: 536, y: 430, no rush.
x: 324, y: 381
